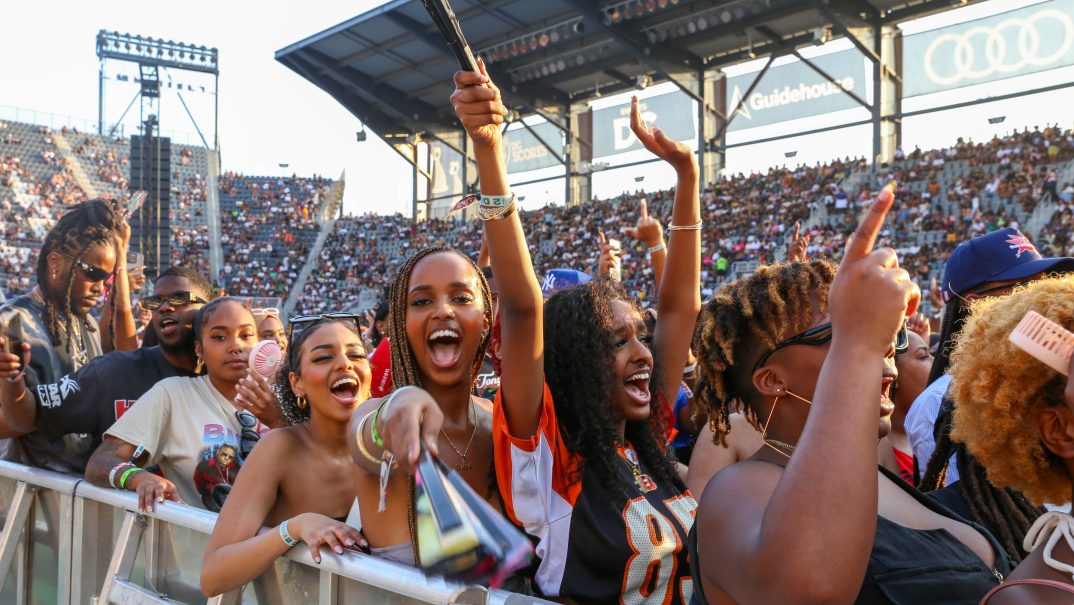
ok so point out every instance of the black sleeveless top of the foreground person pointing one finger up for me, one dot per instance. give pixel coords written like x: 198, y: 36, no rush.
x: 912, y: 567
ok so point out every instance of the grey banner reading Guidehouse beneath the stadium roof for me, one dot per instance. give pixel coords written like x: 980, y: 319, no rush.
x: 795, y: 91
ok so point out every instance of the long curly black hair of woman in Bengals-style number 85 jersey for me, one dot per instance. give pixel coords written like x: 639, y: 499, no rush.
x: 579, y: 367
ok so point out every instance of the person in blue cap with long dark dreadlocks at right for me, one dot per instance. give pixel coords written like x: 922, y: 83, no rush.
x: 988, y: 266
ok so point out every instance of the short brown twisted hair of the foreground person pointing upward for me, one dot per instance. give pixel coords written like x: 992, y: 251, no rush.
x: 746, y: 319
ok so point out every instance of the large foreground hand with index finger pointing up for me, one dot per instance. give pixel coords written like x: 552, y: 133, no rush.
x: 872, y: 295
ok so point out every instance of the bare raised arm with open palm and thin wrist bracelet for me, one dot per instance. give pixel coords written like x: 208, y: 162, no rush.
x: 680, y: 286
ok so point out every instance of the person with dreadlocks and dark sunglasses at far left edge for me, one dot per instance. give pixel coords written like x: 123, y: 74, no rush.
x: 85, y: 248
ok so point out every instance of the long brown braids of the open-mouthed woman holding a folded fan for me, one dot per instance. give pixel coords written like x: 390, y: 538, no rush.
x: 405, y: 370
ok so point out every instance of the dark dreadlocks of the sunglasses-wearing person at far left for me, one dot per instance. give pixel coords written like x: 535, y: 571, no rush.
x: 85, y: 226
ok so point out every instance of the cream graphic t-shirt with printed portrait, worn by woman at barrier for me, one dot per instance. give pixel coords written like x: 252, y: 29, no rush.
x: 192, y: 431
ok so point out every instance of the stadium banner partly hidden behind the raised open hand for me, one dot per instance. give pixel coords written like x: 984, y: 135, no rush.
x: 612, y: 126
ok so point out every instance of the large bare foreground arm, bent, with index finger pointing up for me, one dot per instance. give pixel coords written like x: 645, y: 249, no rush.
x: 823, y: 507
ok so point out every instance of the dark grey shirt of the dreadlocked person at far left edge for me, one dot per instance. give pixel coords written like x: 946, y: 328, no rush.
x: 24, y: 320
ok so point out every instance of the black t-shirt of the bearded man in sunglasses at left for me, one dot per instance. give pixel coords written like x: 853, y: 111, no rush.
x: 92, y: 399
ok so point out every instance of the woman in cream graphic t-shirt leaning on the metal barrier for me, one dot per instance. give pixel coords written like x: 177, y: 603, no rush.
x: 188, y: 426
